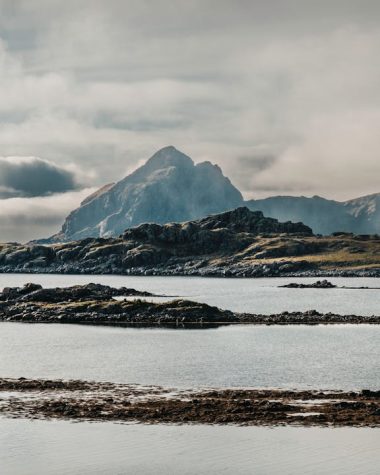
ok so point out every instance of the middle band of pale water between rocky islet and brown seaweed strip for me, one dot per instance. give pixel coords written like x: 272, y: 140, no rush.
x: 341, y: 357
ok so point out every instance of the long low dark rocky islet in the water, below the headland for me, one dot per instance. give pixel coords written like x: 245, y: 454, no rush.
x: 96, y: 304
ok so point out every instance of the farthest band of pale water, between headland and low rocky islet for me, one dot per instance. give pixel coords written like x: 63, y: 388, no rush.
x: 241, y: 295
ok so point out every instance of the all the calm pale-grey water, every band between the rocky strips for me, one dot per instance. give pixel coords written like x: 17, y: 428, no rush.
x: 341, y: 357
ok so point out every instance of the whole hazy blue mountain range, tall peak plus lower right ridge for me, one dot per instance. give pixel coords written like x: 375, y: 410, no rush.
x: 170, y: 187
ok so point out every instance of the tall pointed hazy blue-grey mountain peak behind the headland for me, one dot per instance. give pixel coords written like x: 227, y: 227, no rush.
x: 168, y: 187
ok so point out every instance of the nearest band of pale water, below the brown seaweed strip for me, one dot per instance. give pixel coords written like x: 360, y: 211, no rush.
x: 63, y: 448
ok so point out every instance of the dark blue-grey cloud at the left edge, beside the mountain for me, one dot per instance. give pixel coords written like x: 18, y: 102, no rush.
x: 32, y: 176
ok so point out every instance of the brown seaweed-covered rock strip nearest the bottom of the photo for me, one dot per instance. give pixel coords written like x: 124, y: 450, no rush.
x: 92, y: 401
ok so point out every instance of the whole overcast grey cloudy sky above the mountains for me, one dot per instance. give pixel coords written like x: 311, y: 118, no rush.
x: 283, y: 94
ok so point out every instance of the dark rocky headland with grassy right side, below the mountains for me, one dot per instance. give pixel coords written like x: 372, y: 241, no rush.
x: 238, y: 243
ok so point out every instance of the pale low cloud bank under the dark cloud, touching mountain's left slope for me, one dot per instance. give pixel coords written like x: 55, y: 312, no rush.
x: 24, y: 219
